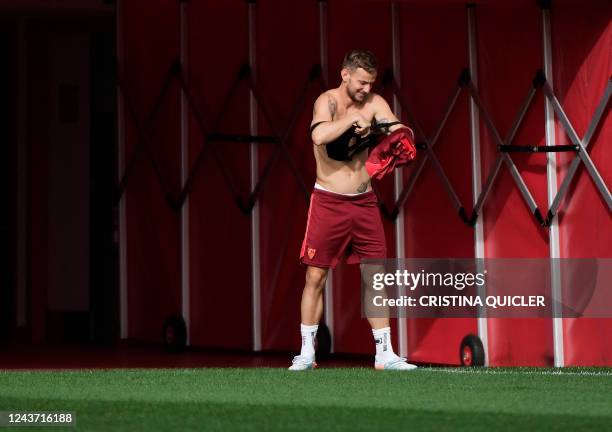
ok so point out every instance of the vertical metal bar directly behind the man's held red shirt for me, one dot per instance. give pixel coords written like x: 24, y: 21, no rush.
x: 398, y: 180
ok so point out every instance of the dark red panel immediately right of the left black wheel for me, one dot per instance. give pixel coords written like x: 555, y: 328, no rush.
x: 220, y: 234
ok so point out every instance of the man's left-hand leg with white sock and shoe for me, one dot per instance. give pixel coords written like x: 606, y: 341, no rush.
x: 311, y: 311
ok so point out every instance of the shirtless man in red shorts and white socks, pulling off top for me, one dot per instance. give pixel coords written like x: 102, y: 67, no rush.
x: 343, y: 209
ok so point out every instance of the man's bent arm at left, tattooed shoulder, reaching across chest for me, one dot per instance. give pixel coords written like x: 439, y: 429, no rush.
x: 329, y: 129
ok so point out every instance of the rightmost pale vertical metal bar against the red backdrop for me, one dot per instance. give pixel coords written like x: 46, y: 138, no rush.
x: 551, y: 177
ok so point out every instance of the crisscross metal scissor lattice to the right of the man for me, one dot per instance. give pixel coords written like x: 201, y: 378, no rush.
x: 505, y: 147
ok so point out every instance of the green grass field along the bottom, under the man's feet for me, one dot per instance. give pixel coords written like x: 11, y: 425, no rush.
x: 322, y: 400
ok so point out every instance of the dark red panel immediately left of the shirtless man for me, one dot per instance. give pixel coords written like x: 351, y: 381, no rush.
x: 285, y: 57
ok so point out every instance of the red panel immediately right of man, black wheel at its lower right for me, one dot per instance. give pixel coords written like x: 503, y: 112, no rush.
x: 433, y: 228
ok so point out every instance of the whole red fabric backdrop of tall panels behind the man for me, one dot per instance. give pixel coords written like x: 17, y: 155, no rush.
x: 433, y: 51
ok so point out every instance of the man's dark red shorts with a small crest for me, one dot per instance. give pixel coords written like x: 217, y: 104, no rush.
x: 338, y: 223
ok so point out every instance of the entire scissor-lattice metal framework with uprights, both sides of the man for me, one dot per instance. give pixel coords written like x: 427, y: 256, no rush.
x: 314, y: 79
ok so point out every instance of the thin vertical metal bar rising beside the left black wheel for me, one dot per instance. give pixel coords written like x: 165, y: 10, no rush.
x: 185, y: 256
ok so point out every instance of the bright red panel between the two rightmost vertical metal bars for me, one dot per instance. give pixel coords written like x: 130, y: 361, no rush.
x: 506, y: 71
